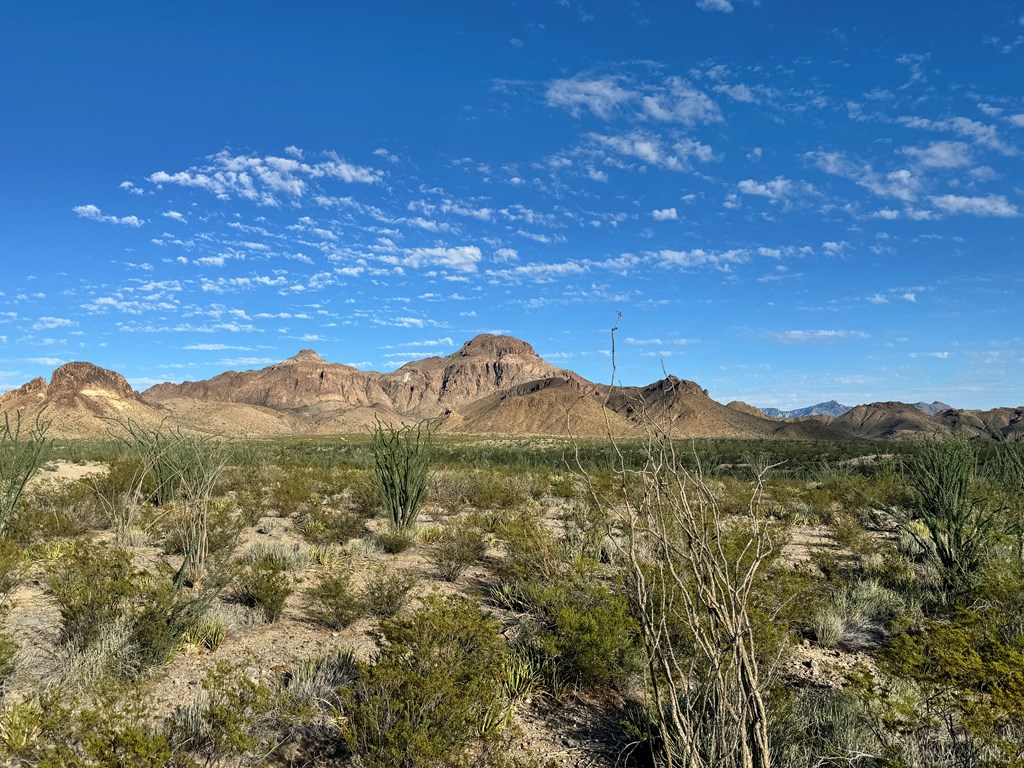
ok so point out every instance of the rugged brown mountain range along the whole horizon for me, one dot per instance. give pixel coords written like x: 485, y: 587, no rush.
x: 493, y: 386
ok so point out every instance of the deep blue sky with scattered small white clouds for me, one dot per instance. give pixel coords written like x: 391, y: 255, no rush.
x: 788, y: 201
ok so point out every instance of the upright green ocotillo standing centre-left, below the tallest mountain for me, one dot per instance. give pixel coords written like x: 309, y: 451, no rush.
x: 402, y: 467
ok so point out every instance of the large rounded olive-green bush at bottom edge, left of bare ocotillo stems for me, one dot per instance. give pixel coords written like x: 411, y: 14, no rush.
x: 431, y: 689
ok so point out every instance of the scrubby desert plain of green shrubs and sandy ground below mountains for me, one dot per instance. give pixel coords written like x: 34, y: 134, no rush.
x: 403, y: 600
